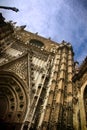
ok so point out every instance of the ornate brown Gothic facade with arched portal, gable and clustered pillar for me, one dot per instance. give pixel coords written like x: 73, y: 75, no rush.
x: 36, y: 91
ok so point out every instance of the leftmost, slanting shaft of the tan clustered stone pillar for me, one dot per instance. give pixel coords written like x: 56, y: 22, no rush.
x: 49, y: 107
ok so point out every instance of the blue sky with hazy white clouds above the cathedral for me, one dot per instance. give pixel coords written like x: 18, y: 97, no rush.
x: 58, y: 19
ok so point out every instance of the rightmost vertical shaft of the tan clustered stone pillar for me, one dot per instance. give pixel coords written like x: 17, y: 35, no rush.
x: 69, y: 92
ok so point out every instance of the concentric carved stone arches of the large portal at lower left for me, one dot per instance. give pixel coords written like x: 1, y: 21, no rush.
x: 13, y: 98
